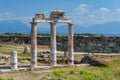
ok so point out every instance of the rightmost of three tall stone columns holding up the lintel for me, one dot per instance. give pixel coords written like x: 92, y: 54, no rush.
x: 70, y: 44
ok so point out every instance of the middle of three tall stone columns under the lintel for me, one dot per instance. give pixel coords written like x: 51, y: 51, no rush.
x: 53, y: 44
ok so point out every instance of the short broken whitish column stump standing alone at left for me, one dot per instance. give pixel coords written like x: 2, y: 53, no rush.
x: 14, y: 60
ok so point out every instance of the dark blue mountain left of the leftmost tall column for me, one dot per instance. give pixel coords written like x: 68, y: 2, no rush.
x: 13, y: 26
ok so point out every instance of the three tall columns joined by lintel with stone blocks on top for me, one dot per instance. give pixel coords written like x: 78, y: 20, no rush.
x: 55, y: 17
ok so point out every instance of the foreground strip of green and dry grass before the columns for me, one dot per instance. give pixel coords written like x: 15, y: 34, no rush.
x: 110, y: 72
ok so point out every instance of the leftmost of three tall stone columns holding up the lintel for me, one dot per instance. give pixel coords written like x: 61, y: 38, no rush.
x: 33, y: 44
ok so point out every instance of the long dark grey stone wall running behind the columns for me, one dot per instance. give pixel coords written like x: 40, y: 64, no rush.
x: 81, y: 43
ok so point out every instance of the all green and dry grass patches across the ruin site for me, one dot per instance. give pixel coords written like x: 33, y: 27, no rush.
x: 109, y: 72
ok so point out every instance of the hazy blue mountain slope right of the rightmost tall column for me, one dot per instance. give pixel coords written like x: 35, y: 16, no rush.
x: 107, y: 28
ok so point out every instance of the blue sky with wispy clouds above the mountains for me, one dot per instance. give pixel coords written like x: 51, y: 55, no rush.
x: 82, y: 12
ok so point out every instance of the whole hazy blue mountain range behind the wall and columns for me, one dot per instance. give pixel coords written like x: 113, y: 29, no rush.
x: 111, y: 28
